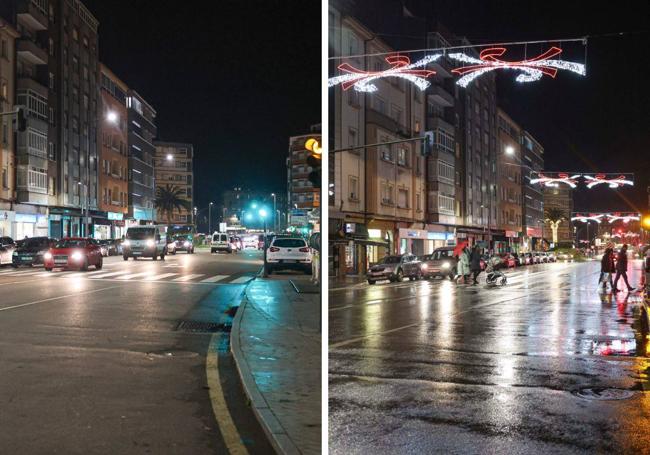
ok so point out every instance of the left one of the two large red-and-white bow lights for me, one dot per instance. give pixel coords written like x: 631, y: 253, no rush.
x: 402, y: 68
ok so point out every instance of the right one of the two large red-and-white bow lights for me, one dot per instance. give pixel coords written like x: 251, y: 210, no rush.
x: 533, y: 69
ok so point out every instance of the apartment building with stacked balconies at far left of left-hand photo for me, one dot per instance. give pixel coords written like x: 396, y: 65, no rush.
x: 35, y: 171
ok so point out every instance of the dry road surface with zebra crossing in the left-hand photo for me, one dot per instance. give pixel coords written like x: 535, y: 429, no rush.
x: 133, y: 358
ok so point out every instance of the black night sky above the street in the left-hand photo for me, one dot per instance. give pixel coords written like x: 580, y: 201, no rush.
x: 234, y: 78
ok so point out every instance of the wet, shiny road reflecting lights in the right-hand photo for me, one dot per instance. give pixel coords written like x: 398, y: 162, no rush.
x: 431, y: 367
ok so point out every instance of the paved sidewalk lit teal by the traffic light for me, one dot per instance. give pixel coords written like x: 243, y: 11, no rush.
x: 276, y: 344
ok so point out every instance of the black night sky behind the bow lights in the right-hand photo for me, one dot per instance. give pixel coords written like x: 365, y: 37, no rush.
x: 597, y: 123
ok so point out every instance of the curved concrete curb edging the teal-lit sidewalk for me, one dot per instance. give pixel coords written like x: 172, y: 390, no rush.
x: 270, y: 424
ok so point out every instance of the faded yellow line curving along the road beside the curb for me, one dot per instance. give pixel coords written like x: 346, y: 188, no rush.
x: 231, y: 436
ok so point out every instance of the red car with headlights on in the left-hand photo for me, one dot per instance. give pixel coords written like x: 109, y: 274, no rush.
x: 73, y: 252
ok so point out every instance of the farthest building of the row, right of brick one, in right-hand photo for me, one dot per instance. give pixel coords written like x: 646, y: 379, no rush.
x: 533, y: 197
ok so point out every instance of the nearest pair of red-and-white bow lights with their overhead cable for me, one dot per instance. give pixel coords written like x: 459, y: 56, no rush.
x: 531, y: 70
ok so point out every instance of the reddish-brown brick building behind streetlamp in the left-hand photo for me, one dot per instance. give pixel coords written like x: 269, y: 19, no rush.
x: 113, y: 155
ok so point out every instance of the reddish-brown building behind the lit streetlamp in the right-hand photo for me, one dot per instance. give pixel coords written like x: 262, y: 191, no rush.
x: 509, y: 184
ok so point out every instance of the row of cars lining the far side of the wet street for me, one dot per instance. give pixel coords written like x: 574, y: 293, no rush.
x: 442, y: 263
